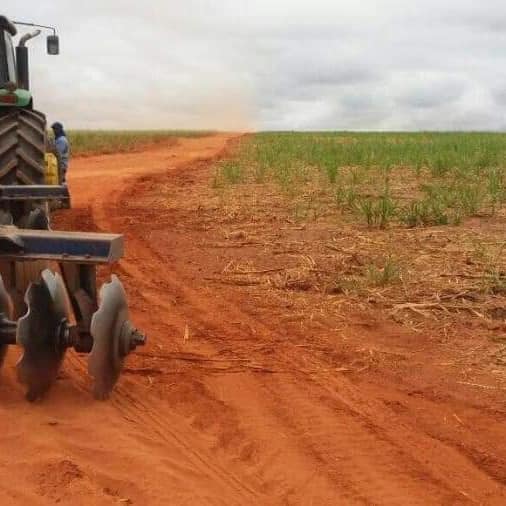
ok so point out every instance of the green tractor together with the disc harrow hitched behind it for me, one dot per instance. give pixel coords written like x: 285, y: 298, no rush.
x: 49, y: 300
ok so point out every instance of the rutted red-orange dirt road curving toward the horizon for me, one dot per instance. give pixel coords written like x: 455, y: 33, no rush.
x: 226, y: 405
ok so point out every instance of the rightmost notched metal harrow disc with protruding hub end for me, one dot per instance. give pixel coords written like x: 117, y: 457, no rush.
x: 114, y: 338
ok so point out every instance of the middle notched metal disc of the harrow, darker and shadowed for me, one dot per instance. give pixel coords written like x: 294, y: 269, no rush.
x: 39, y: 333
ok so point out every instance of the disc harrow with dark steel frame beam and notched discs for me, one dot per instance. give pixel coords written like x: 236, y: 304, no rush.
x: 61, y: 309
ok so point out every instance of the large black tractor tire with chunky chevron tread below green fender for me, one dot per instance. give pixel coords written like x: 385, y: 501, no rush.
x: 22, y: 147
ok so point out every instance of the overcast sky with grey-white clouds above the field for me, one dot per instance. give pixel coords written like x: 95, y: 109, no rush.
x: 271, y: 64
